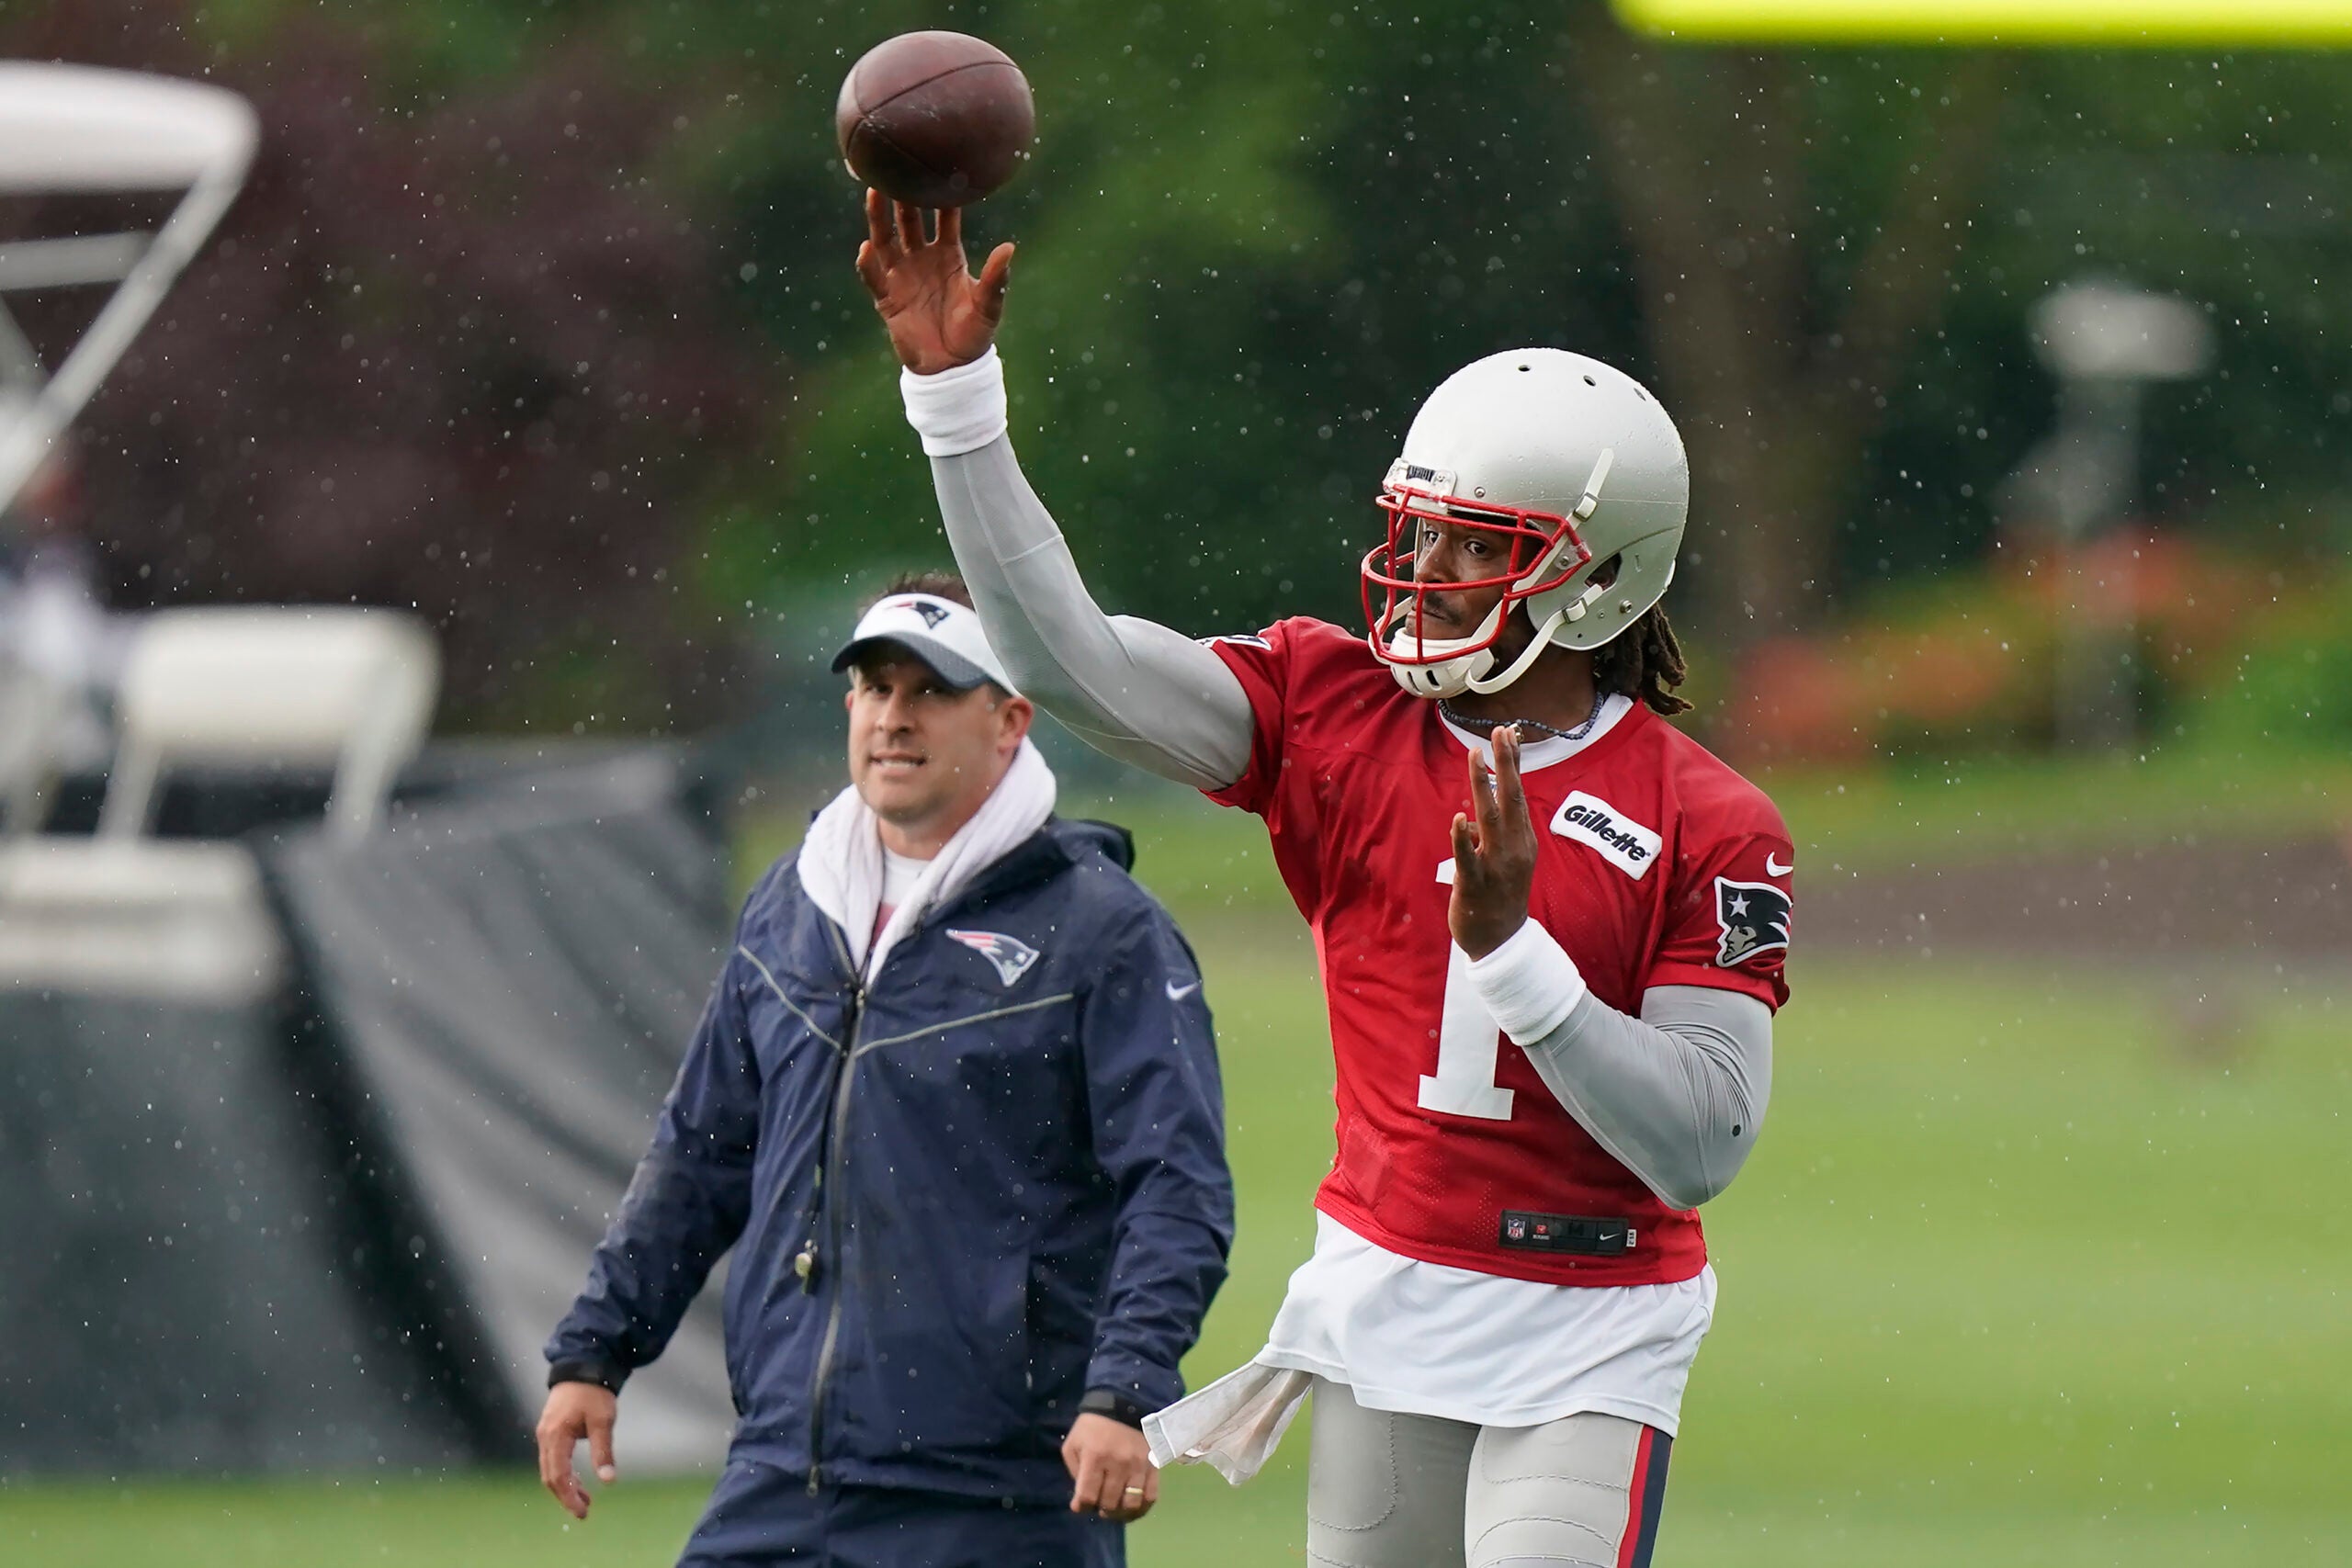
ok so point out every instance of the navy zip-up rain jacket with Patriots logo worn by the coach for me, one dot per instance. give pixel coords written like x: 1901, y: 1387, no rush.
x: 961, y: 1198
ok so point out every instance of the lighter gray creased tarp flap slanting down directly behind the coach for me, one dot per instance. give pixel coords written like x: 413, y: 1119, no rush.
x: 512, y: 977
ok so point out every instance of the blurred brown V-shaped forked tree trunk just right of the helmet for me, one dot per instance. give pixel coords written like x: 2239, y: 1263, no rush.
x: 1786, y: 272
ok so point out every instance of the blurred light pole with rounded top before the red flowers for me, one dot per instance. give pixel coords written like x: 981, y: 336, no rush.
x: 2104, y: 344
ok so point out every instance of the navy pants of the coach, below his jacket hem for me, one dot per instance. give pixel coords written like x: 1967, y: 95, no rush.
x: 766, y: 1517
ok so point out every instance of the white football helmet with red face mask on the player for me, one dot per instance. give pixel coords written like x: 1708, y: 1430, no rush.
x: 1570, y: 462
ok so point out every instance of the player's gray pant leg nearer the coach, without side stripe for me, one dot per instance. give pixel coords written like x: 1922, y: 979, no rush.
x: 1384, y: 1492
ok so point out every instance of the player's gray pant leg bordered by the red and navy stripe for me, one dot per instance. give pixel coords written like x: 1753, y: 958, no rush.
x: 1553, y: 1494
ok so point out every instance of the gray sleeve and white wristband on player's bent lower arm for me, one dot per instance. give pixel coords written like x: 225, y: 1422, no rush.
x: 1676, y: 1094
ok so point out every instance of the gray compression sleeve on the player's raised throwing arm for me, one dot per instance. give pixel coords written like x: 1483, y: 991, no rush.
x: 1128, y: 688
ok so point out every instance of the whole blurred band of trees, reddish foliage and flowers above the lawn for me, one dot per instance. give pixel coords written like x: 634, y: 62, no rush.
x: 540, y: 316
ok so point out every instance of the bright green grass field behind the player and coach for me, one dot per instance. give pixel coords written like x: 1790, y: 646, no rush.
x: 2012, y: 1280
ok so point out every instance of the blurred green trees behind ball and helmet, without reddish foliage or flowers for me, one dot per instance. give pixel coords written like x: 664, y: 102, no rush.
x: 1259, y: 232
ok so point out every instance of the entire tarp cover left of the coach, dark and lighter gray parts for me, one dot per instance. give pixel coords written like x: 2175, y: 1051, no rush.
x: 330, y: 1226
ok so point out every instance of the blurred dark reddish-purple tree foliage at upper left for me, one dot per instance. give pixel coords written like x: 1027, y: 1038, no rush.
x: 455, y: 356
